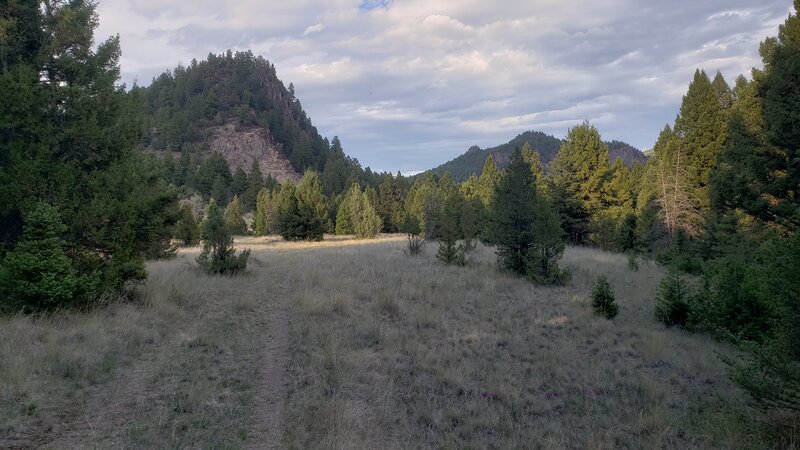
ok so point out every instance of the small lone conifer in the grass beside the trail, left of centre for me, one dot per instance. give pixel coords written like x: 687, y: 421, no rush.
x: 218, y: 255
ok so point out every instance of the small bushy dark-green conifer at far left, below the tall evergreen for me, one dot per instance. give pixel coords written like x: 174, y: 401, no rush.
x: 36, y: 274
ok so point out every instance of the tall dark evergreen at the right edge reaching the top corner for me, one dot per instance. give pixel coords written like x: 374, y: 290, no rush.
x: 757, y: 172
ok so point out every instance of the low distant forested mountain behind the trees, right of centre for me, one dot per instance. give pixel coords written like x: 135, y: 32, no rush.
x: 471, y: 162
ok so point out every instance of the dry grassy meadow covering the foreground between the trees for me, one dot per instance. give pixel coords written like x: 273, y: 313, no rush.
x: 353, y: 344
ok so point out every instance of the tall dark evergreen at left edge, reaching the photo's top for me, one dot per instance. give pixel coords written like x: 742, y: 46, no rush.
x: 68, y: 136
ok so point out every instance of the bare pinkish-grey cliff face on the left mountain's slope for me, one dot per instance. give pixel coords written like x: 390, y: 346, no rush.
x: 241, y: 145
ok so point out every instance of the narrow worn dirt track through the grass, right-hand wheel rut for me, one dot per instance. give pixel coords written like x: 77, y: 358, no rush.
x: 267, y: 421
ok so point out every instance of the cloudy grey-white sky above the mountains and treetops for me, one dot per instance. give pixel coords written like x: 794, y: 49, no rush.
x: 410, y: 84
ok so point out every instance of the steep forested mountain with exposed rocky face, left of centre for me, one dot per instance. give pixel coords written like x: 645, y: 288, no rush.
x: 233, y: 104
